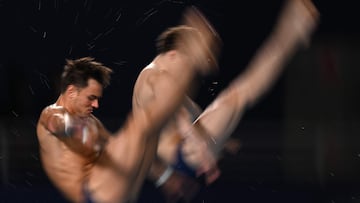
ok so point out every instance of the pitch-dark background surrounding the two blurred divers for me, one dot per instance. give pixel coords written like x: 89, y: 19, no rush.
x: 300, y: 143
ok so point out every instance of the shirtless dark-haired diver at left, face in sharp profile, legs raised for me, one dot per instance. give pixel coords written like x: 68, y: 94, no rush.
x: 81, y: 158
